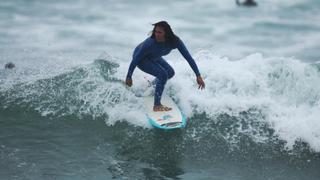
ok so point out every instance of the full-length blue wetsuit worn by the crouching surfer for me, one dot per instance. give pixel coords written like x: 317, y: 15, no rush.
x: 148, y: 57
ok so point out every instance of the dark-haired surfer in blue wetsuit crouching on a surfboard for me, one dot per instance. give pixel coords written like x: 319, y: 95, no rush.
x: 148, y: 57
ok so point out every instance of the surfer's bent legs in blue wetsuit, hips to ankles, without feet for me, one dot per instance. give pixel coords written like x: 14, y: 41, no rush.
x: 162, y: 71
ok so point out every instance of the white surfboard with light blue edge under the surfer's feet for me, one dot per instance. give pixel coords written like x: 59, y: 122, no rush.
x: 172, y: 119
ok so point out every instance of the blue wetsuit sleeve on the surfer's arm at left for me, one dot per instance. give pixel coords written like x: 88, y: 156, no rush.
x: 141, y: 51
